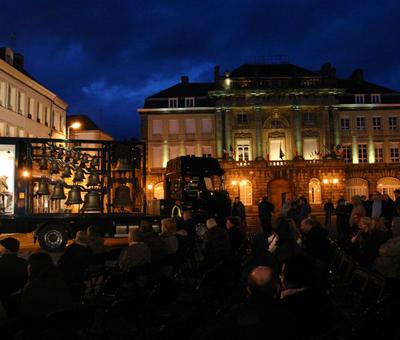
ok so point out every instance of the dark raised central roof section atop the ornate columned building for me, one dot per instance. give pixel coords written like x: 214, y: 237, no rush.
x: 271, y: 70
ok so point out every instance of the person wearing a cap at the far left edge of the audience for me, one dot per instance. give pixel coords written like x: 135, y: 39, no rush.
x: 13, y: 269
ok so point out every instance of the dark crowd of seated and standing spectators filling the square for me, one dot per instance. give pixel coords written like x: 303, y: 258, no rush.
x: 247, y: 286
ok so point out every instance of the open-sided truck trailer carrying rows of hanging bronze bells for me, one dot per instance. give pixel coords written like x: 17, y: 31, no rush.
x: 53, y: 188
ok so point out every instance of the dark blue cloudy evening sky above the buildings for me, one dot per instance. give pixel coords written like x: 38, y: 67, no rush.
x: 104, y: 57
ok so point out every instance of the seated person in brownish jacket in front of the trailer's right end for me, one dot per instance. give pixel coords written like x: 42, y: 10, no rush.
x: 138, y: 253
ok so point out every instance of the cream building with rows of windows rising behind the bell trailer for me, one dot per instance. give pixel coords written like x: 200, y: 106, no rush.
x: 27, y: 108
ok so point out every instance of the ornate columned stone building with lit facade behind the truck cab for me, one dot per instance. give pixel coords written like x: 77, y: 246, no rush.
x: 280, y: 129
